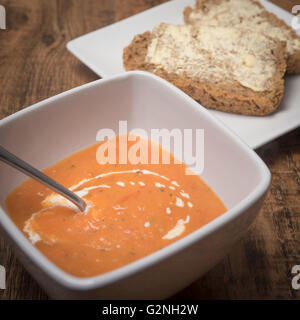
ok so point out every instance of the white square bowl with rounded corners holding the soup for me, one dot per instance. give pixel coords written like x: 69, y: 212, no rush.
x: 54, y: 128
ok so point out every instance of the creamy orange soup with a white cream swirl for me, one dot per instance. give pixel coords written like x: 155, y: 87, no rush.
x: 133, y: 210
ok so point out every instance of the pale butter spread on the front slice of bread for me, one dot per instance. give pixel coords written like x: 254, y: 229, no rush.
x: 214, y: 53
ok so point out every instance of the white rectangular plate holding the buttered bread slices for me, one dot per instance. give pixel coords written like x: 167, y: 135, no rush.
x: 102, y: 50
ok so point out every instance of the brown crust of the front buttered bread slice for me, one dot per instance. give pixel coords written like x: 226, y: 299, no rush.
x: 233, y: 98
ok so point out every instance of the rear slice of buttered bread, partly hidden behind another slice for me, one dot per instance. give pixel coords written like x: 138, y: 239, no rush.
x: 248, y: 14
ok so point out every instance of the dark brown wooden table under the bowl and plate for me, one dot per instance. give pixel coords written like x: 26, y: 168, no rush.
x: 34, y: 65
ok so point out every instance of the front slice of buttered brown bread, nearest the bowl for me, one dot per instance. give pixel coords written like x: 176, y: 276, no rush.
x: 223, y: 68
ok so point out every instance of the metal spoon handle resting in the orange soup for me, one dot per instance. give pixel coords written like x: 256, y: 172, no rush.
x: 26, y: 168
